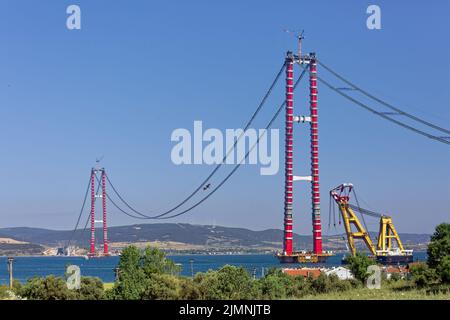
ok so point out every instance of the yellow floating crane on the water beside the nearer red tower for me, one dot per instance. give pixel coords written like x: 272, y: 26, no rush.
x: 385, y: 252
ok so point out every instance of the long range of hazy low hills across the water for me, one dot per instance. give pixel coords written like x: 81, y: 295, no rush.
x: 209, y: 236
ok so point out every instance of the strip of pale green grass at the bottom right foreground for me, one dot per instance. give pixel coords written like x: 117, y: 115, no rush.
x: 400, y: 290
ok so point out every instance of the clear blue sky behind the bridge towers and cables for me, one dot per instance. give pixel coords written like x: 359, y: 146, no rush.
x: 137, y: 70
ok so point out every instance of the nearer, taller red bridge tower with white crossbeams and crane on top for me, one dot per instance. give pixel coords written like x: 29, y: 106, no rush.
x: 289, y: 255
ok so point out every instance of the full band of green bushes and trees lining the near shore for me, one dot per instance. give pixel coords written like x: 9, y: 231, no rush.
x: 148, y: 274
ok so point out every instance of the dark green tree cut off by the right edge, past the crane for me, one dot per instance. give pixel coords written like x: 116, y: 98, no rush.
x: 439, y: 251
